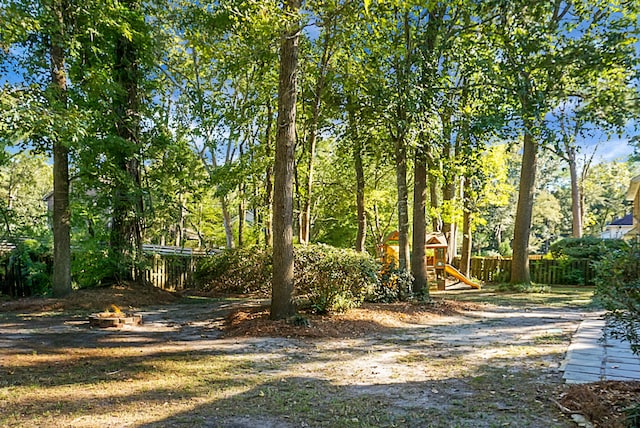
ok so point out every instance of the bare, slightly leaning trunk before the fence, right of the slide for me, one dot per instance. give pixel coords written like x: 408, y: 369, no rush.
x: 520, y: 260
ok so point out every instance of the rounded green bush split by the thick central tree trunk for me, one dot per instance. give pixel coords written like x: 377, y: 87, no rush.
x: 330, y: 279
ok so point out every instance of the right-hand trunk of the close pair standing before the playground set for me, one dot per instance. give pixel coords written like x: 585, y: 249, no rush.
x: 418, y: 261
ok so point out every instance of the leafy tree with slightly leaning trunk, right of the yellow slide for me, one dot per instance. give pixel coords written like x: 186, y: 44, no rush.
x: 541, y: 48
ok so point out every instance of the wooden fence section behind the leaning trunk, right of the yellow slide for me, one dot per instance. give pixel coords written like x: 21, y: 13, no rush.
x: 543, y: 271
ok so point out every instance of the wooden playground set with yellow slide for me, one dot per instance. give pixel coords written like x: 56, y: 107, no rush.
x: 435, y: 258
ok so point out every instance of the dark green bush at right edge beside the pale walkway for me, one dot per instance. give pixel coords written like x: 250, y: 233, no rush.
x: 618, y: 288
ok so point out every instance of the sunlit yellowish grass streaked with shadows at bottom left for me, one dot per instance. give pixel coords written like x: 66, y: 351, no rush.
x: 149, y: 391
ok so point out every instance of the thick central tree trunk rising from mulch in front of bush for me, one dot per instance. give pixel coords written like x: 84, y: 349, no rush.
x: 282, y: 305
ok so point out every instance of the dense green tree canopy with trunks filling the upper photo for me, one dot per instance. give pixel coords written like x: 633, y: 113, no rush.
x: 471, y: 118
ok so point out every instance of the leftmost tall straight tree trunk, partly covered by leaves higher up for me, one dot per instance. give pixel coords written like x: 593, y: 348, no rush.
x: 61, y: 212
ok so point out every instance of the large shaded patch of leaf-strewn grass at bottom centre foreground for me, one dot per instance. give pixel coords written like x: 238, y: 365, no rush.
x: 312, y: 402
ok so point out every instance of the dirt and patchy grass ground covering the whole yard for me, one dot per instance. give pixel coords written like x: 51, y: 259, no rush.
x: 469, y: 359
